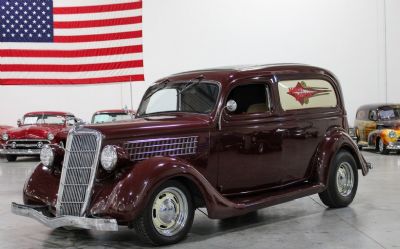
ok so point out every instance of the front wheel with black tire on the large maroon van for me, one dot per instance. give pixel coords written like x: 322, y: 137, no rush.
x: 145, y: 223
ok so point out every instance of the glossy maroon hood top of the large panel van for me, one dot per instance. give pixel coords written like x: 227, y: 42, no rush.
x: 153, y: 126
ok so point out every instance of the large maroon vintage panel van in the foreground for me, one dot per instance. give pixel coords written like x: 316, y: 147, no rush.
x: 232, y: 140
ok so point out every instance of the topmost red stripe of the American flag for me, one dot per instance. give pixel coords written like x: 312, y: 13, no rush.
x: 98, y: 8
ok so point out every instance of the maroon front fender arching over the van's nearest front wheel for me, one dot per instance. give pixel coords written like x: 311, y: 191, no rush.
x: 124, y: 198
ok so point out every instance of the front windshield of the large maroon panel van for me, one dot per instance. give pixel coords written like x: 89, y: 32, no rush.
x: 180, y: 97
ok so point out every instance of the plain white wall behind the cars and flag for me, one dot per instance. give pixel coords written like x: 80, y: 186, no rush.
x: 346, y: 37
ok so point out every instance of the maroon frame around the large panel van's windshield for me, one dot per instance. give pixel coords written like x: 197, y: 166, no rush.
x: 163, y: 85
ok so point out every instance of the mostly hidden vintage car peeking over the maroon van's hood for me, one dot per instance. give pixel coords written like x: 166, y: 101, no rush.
x: 114, y: 115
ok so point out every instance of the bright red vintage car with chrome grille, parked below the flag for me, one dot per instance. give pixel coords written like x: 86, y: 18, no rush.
x: 35, y: 130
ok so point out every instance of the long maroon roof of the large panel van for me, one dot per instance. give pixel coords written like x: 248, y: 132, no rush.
x: 227, y: 74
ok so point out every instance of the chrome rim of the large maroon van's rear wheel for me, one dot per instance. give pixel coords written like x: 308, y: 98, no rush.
x: 344, y: 179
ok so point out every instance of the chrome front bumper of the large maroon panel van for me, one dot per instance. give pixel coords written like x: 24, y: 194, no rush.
x: 39, y: 213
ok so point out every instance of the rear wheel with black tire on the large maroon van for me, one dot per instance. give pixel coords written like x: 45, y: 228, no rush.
x: 339, y: 194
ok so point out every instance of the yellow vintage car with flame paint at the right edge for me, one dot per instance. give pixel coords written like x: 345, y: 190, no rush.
x: 378, y: 126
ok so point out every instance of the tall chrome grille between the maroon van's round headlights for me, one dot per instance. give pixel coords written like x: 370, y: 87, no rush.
x: 79, y: 169
